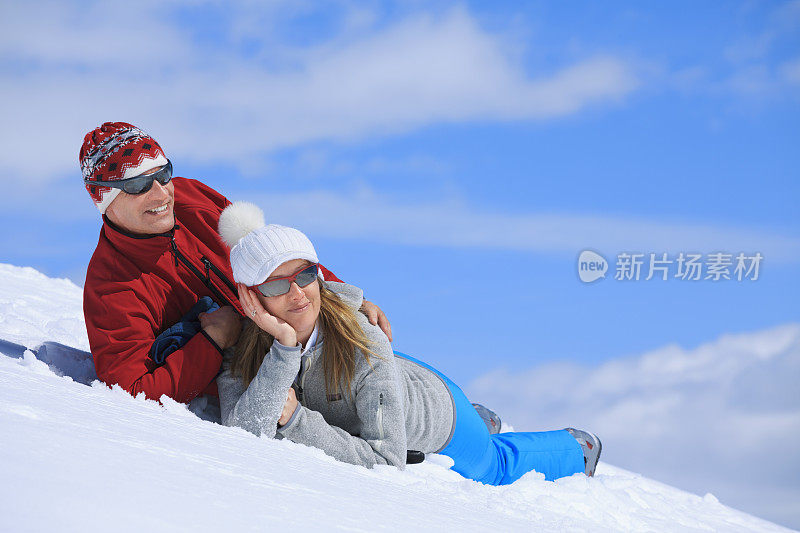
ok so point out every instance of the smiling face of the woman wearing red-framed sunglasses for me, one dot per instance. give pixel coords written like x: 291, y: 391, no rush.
x: 300, y: 306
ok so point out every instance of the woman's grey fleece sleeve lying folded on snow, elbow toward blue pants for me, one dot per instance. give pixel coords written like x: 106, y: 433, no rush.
x: 380, y: 406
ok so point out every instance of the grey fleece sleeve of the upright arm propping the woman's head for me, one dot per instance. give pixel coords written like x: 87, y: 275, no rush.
x: 258, y: 407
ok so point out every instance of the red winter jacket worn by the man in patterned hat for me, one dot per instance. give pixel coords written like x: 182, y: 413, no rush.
x: 138, y: 286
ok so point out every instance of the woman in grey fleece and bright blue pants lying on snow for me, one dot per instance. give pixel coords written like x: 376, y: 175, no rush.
x: 348, y: 394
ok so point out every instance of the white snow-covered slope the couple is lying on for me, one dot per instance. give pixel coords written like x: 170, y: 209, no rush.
x: 87, y: 457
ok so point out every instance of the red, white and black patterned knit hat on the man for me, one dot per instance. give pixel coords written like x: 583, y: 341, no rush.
x: 116, y: 151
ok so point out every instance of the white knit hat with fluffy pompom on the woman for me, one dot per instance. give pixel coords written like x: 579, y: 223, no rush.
x: 258, y: 249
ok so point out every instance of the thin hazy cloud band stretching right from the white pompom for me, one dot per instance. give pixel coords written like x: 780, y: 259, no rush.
x: 368, y: 216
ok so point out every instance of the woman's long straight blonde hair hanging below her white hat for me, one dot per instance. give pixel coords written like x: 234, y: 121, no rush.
x: 342, y: 335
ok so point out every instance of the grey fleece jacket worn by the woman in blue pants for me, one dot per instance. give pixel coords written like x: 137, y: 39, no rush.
x: 394, y: 404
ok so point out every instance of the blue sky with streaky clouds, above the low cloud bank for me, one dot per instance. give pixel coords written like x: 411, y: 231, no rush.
x: 452, y: 159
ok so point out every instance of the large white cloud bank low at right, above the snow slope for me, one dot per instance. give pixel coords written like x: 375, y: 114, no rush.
x: 720, y: 418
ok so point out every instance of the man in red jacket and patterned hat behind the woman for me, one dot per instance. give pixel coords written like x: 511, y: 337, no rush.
x: 158, y: 253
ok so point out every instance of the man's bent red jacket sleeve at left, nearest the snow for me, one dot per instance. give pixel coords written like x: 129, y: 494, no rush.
x: 120, y: 331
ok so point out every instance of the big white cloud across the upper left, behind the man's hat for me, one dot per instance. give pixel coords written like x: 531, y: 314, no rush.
x: 75, y: 67
